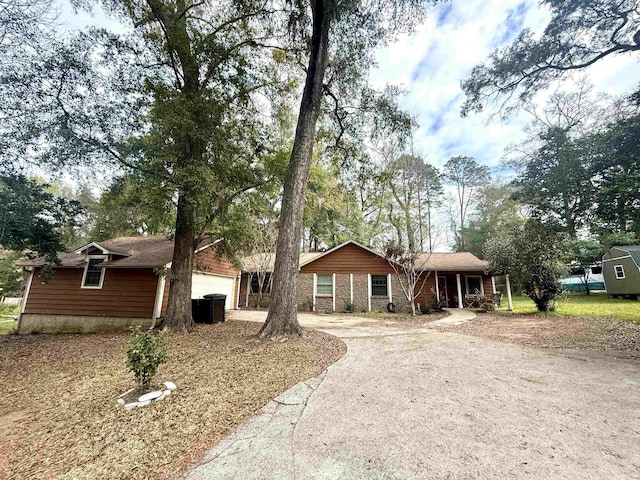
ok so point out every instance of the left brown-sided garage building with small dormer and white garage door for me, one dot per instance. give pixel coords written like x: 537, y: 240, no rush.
x: 116, y: 283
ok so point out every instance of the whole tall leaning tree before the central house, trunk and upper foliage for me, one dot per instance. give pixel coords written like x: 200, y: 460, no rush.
x: 342, y: 35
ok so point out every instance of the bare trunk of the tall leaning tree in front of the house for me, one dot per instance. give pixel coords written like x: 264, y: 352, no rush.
x: 282, y: 317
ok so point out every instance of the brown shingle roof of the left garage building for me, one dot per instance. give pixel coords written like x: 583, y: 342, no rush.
x: 126, y: 252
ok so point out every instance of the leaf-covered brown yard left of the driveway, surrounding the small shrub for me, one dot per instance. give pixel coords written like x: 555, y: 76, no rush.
x: 58, y: 411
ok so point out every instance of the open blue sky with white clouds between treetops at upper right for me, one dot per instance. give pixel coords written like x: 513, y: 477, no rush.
x: 431, y: 62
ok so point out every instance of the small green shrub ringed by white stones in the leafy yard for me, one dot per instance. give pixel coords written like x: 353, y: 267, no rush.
x: 145, y: 352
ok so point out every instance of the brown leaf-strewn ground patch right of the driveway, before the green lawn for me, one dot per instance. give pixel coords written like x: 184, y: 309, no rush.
x: 580, y: 333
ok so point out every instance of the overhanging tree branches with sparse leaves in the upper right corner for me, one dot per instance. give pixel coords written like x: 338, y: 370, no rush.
x: 580, y: 33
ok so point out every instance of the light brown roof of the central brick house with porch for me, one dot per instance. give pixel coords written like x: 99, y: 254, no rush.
x: 455, y: 261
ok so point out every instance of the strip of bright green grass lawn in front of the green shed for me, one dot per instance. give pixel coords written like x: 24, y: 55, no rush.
x: 581, y: 305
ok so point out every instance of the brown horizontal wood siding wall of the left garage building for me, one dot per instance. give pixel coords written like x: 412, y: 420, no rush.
x: 124, y: 293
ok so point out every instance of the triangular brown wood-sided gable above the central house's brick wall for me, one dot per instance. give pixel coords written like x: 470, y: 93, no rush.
x: 349, y: 259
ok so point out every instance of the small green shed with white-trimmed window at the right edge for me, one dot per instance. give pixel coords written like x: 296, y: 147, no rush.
x: 621, y: 271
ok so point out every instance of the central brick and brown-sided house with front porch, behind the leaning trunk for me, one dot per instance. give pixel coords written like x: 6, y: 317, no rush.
x: 352, y: 276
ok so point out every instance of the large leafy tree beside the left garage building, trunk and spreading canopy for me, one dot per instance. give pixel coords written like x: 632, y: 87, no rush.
x: 177, y: 98
